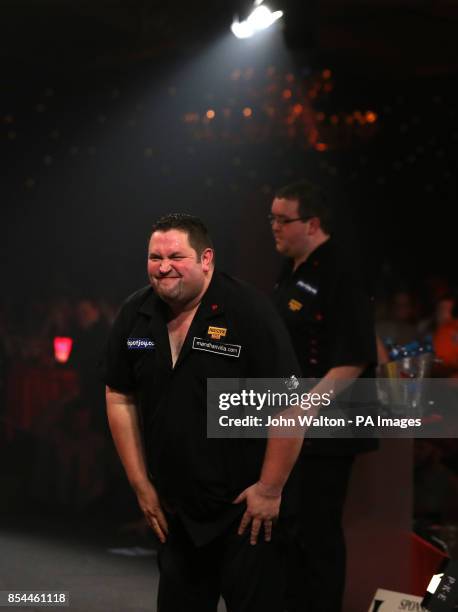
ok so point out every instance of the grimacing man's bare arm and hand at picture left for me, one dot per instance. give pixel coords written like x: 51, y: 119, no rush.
x: 123, y: 421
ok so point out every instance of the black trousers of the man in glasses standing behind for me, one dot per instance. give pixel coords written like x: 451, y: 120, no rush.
x: 316, y: 555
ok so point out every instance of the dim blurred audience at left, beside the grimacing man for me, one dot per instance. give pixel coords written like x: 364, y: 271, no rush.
x: 71, y: 464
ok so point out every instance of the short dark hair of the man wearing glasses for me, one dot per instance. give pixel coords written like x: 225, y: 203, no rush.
x: 312, y: 201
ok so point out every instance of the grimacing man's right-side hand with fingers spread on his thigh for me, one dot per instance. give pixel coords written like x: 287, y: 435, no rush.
x: 263, y: 507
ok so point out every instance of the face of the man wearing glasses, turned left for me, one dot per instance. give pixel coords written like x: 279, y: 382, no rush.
x: 290, y: 238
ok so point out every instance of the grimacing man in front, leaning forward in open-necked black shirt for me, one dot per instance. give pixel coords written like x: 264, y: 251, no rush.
x: 206, y: 499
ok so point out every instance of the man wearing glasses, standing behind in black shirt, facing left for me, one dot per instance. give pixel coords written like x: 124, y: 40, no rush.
x: 329, y: 317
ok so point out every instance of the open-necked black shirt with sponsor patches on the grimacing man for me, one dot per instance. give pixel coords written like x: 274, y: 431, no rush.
x: 197, y: 477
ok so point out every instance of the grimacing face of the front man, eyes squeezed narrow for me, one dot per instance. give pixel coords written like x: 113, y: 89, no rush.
x: 175, y: 271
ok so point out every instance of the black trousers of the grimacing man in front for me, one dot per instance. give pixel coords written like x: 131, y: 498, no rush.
x: 249, y: 578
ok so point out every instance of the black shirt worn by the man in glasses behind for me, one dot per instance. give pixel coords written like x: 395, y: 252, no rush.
x: 329, y: 315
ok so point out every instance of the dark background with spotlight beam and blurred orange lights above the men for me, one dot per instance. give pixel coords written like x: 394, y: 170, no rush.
x: 104, y: 128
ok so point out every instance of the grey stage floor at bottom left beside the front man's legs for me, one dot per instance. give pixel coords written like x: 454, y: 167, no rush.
x: 53, y: 555
